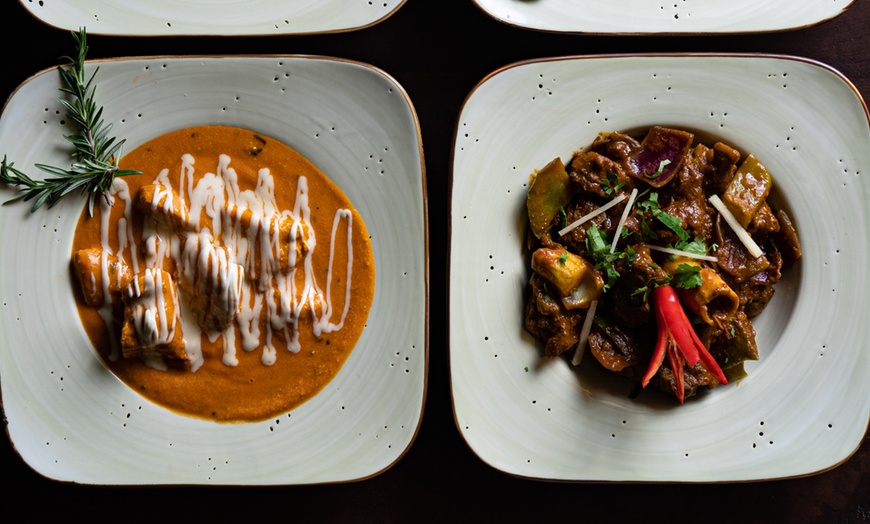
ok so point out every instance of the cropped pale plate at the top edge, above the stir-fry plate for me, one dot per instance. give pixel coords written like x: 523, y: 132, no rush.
x: 676, y: 17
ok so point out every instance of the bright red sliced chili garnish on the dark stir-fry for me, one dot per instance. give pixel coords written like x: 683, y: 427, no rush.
x: 675, y: 331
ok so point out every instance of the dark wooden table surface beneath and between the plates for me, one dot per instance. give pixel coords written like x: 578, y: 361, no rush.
x: 438, y: 51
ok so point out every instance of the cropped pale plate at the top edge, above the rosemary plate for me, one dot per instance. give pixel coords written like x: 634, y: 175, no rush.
x: 211, y: 17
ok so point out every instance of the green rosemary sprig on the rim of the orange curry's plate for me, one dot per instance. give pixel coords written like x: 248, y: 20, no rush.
x: 96, y: 154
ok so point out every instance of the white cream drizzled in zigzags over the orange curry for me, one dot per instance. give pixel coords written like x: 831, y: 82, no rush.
x: 230, y: 248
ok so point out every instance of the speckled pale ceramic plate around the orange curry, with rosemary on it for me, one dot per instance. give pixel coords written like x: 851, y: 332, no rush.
x: 72, y: 420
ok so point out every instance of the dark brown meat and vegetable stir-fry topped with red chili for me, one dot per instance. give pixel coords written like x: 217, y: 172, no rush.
x: 655, y: 253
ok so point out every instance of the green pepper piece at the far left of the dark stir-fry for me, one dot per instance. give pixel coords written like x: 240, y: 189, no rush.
x: 547, y: 196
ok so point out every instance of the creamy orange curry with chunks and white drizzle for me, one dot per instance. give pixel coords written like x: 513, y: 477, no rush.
x: 229, y: 281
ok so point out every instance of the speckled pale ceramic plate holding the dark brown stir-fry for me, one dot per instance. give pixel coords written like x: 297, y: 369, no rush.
x: 804, y: 406
